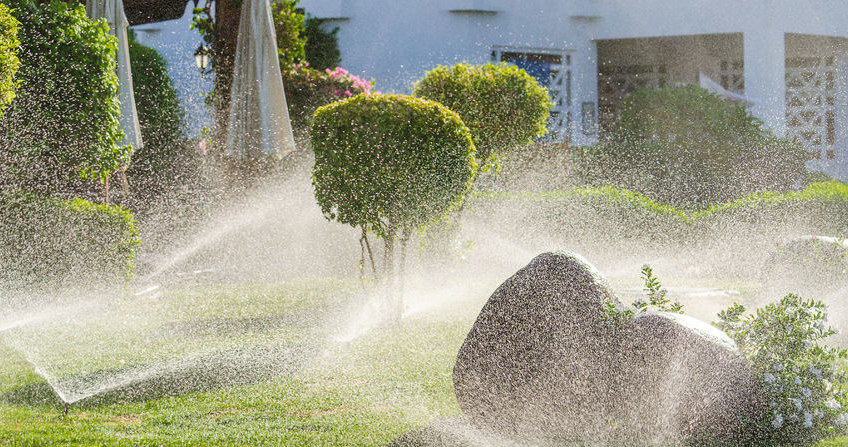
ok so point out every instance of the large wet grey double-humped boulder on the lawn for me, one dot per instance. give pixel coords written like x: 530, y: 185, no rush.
x: 544, y: 360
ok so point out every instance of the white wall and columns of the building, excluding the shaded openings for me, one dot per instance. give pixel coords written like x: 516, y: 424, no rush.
x: 395, y: 42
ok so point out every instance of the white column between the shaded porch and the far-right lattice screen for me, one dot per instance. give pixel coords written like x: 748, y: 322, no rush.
x: 765, y: 73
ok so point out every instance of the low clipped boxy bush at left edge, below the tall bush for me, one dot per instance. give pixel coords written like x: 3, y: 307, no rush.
x: 48, y: 242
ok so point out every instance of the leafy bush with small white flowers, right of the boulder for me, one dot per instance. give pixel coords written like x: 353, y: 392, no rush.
x: 799, y: 376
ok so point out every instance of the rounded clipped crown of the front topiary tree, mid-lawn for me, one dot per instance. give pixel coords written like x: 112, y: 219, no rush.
x: 389, y: 163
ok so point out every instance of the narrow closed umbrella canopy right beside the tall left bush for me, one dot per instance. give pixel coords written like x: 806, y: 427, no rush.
x: 113, y: 12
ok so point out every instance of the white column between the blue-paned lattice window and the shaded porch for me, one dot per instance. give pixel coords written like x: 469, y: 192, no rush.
x: 584, y: 89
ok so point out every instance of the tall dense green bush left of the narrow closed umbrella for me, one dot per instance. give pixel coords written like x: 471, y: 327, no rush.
x: 63, y: 123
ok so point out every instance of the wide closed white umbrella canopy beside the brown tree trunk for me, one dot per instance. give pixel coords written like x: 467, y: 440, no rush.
x: 259, y: 119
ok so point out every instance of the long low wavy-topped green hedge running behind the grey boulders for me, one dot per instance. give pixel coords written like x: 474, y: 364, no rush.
x: 821, y: 208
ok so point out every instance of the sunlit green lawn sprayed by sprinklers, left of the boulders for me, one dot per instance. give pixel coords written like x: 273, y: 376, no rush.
x: 257, y: 365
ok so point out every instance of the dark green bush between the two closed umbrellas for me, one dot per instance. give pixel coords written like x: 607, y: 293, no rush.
x: 165, y: 160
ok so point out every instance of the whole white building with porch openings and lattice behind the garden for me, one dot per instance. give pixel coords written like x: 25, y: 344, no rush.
x: 787, y: 56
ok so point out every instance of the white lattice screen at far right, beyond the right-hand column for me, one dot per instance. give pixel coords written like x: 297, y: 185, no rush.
x: 811, y: 104
